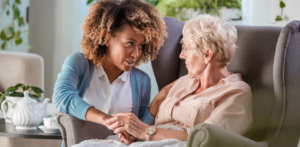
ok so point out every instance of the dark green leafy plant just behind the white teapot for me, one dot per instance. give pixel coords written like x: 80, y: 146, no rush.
x: 12, y: 93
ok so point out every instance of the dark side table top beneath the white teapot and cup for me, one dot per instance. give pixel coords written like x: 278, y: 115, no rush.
x: 9, y: 130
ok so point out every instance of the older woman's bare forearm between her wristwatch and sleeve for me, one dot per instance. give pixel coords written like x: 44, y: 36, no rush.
x: 162, y: 134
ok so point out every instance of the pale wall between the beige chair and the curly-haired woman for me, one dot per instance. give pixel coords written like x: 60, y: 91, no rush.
x: 55, y: 34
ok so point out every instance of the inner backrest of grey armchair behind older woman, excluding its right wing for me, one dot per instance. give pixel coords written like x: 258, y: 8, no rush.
x: 253, y: 59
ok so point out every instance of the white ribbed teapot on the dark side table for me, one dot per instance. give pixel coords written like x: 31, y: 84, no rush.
x: 26, y: 113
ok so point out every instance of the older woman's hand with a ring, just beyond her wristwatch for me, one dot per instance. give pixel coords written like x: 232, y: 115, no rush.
x: 127, y: 122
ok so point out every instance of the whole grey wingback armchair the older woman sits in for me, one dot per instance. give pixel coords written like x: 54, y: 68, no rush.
x: 267, y: 57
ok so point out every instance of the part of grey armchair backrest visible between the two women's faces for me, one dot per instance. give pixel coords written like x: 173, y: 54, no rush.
x: 167, y: 66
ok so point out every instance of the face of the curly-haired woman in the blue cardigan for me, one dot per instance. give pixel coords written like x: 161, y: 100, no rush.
x: 125, y: 48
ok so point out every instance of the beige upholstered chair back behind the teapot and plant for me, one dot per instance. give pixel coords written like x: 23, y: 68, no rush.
x: 26, y: 68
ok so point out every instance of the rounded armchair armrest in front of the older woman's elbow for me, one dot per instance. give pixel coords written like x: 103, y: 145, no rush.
x: 208, y: 135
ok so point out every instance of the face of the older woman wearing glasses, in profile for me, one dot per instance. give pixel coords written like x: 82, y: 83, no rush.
x: 194, y: 60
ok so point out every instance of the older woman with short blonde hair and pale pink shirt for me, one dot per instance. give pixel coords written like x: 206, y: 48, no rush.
x: 208, y: 94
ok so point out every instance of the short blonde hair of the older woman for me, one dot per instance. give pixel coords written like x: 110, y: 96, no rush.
x: 211, y: 32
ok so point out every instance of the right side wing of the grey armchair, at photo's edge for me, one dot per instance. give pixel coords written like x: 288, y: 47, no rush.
x: 287, y: 89
